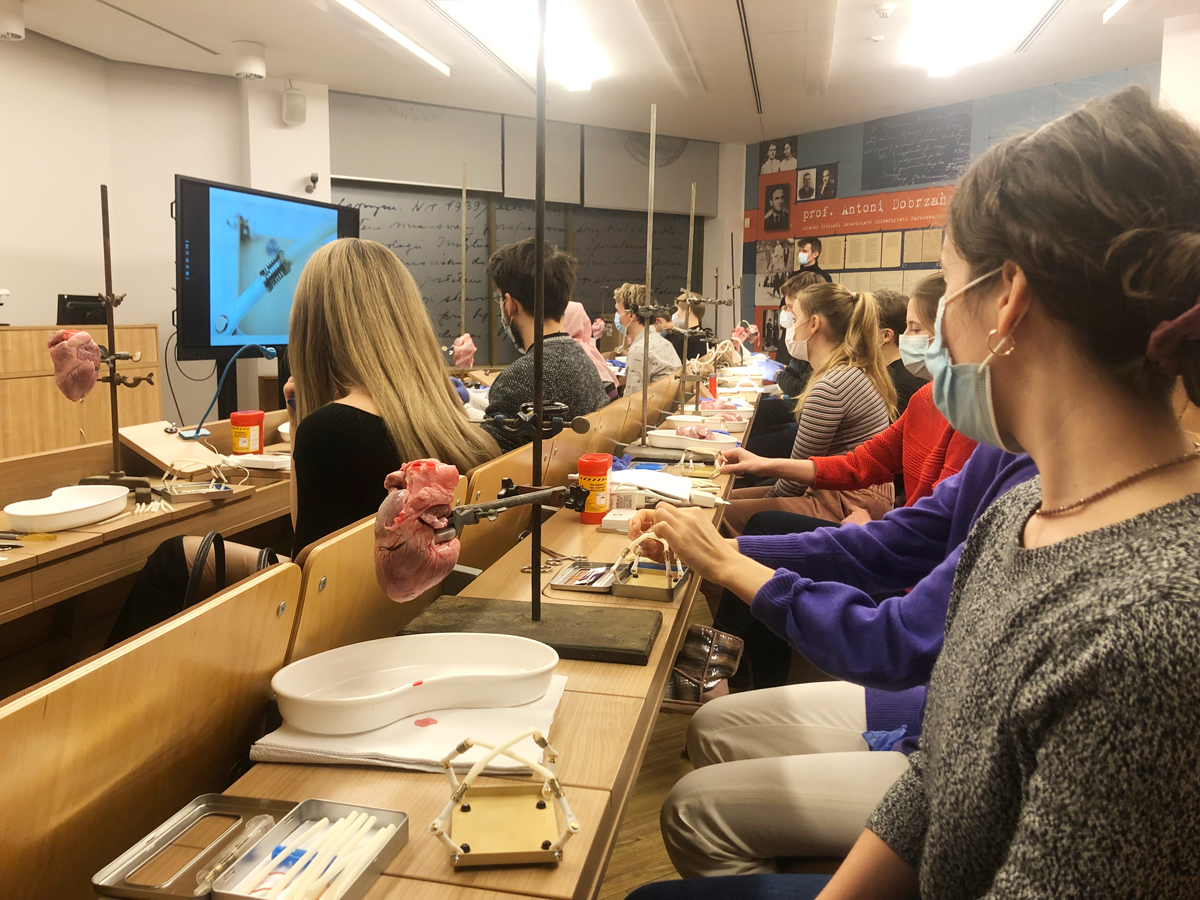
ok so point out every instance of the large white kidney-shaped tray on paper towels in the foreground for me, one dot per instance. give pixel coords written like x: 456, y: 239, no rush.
x: 373, y: 685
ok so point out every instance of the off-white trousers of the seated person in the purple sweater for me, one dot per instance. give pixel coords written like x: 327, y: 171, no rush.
x: 782, y: 772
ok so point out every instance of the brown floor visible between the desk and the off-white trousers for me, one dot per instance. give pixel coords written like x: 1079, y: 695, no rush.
x: 639, y: 856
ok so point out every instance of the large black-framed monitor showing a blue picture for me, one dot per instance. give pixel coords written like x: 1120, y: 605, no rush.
x: 238, y: 257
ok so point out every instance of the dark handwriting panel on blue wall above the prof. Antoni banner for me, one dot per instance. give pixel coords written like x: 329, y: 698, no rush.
x: 922, y: 148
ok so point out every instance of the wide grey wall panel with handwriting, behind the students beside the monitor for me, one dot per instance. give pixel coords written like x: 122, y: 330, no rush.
x: 423, y: 227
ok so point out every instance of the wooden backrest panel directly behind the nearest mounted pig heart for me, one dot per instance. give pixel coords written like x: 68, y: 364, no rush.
x: 341, y: 602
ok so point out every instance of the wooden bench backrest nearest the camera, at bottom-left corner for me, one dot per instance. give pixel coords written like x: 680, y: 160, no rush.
x: 97, y: 758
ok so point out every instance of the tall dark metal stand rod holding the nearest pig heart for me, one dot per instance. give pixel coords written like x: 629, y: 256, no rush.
x: 539, y: 313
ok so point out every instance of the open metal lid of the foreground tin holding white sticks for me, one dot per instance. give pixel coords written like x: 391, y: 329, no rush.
x: 113, y: 879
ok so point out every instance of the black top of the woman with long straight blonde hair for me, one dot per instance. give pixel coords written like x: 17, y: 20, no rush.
x: 340, y: 459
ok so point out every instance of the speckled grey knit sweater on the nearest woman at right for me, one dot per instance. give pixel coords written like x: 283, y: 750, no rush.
x: 1061, y: 748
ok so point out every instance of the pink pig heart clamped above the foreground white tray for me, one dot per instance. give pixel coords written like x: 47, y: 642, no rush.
x: 409, y: 562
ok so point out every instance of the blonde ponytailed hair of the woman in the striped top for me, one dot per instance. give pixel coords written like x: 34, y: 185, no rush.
x: 855, y: 327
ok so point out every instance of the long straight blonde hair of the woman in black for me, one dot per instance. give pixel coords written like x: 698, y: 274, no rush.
x: 358, y: 321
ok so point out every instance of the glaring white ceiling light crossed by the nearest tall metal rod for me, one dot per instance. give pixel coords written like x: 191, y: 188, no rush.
x: 511, y: 29
